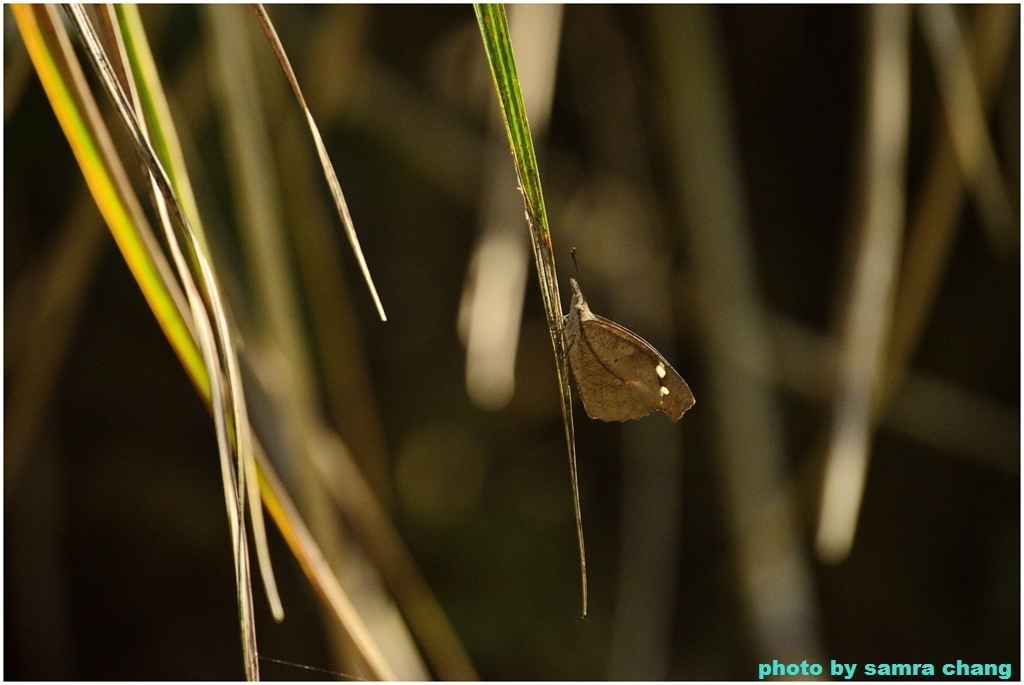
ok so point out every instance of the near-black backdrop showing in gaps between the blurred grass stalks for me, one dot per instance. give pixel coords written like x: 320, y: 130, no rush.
x: 117, y: 556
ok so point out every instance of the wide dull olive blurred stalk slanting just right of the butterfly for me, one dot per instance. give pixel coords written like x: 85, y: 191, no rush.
x: 776, y: 578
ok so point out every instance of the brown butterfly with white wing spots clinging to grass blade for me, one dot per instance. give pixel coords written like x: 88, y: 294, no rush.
x: 620, y: 375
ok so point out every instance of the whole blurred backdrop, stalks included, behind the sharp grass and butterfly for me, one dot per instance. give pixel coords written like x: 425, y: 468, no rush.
x: 813, y: 212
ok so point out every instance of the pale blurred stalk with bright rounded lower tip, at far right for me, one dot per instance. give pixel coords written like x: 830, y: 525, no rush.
x: 869, y: 311
